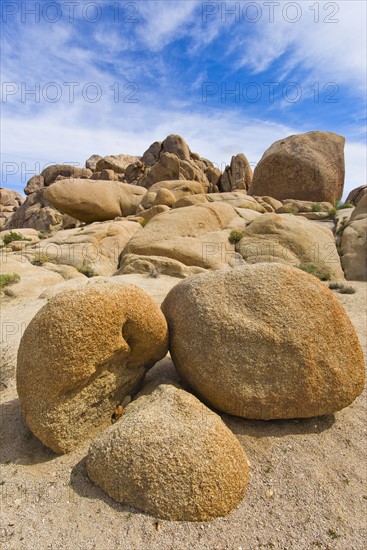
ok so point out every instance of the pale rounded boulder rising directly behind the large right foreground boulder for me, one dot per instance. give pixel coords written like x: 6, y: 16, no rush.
x: 290, y: 239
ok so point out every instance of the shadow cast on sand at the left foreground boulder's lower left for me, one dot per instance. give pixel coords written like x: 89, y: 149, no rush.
x: 18, y: 444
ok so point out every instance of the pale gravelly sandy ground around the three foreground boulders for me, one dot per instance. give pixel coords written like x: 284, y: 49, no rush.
x: 307, y: 487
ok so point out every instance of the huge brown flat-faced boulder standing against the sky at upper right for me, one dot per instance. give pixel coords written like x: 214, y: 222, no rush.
x: 306, y: 166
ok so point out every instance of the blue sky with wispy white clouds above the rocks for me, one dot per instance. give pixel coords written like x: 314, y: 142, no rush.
x: 109, y: 77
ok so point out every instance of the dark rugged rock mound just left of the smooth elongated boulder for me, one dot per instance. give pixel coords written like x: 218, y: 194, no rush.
x: 36, y: 213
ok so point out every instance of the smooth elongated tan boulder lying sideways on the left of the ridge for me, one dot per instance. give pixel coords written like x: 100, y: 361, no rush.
x: 91, y: 201
